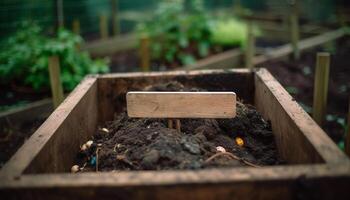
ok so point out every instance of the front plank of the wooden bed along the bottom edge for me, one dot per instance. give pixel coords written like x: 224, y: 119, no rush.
x: 279, y: 182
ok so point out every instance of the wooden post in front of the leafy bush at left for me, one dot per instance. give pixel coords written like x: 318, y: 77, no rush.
x: 55, y: 80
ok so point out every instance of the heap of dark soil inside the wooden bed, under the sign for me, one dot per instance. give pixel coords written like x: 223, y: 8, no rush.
x: 148, y: 144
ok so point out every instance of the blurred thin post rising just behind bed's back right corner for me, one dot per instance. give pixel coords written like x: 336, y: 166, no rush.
x: 250, y: 48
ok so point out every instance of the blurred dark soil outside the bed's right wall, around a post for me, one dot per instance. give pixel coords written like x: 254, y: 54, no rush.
x: 298, y: 78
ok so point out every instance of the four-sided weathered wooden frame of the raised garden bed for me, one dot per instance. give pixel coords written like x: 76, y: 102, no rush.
x: 39, y: 170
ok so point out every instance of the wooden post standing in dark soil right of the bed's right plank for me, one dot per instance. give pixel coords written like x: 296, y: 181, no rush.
x: 321, y: 87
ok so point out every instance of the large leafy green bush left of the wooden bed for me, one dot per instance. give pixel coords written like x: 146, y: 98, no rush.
x: 24, y: 58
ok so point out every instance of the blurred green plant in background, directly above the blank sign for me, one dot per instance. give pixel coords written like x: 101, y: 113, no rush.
x: 178, y: 34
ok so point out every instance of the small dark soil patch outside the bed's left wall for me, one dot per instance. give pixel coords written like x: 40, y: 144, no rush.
x: 13, y: 136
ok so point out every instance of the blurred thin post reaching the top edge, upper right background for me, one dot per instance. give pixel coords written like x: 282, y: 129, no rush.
x: 294, y: 24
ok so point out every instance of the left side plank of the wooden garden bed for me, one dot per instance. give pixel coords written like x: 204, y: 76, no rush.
x: 70, y: 125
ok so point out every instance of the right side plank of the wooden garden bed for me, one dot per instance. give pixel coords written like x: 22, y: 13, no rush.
x: 291, y: 125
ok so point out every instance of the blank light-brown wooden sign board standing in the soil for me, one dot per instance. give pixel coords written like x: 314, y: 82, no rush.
x: 181, y: 104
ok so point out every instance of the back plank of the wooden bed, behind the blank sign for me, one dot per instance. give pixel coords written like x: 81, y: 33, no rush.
x: 114, y: 86
